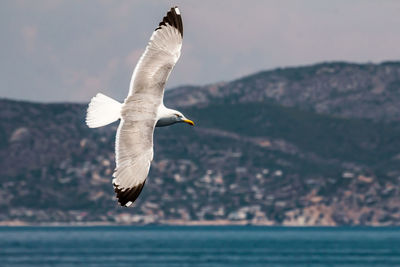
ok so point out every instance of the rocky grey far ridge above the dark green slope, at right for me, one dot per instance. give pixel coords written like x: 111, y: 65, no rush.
x: 340, y: 89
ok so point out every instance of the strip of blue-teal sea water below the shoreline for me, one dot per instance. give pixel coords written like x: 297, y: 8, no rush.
x: 199, y: 246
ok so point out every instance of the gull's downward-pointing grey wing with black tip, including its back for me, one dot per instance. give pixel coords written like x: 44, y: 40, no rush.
x: 133, y: 150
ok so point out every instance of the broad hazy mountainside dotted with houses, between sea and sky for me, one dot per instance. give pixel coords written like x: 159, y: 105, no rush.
x: 315, y: 145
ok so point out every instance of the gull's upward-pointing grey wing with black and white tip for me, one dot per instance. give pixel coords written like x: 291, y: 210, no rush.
x: 162, y: 52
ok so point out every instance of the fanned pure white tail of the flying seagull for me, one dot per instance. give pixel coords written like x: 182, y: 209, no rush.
x: 102, y: 110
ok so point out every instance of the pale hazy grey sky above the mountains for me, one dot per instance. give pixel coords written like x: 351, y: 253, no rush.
x: 56, y: 50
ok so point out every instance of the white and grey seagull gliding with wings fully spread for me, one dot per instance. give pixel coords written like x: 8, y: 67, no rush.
x: 142, y: 110
